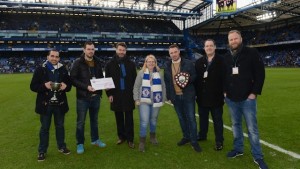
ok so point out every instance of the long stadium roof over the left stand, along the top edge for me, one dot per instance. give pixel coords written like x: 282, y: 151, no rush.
x: 173, y: 9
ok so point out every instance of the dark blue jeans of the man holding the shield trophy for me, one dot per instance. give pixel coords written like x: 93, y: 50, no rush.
x: 185, y: 110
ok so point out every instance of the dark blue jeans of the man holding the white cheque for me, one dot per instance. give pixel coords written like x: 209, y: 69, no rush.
x: 83, y: 105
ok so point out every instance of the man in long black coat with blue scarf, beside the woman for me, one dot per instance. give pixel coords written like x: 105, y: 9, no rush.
x: 123, y: 73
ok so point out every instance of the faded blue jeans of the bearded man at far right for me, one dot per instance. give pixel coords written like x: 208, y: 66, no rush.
x: 248, y: 109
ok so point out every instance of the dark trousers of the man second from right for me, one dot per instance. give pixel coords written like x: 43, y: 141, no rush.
x: 216, y: 113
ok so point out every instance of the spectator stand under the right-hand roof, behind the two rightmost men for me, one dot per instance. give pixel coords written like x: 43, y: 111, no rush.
x: 278, y: 47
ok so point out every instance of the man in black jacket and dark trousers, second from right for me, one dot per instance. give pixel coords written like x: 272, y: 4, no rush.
x: 210, y: 72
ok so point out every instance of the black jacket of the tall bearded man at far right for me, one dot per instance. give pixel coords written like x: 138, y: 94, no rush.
x: 250, y: 78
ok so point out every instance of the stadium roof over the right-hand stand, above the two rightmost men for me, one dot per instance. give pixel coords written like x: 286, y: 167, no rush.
x: 264, y: 15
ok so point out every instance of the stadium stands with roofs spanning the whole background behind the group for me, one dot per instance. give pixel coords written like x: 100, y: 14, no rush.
x: 28, y: 30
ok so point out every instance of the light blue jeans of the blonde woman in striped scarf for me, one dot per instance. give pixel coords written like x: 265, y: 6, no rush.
x: 148, y: 113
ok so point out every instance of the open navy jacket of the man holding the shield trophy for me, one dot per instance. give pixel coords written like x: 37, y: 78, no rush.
x: 189, y: 90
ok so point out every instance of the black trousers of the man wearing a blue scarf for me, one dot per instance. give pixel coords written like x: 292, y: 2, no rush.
x: 124, y: 122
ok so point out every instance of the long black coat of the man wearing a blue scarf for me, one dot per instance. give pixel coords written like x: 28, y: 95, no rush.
x: 122, y: 100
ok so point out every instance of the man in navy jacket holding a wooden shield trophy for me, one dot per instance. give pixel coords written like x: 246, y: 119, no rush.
x: 179, y: 77
